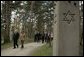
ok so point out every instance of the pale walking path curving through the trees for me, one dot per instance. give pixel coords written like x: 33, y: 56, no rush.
x: 26, y: 51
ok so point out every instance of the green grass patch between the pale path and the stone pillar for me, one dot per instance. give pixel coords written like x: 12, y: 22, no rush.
x: 45, y: 50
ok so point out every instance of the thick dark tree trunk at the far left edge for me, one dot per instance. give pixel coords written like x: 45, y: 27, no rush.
x: 7, y: 16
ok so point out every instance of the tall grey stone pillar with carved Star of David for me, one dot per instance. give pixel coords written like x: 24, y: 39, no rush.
x: 66, y: 28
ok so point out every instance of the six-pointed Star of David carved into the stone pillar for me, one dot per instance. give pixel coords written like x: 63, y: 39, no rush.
x: 68, y: 17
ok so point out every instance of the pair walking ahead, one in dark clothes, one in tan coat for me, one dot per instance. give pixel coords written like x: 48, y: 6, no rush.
x: 16, y: 36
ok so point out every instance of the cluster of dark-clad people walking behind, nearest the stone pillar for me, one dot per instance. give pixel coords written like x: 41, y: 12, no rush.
x: 44, y: 37
